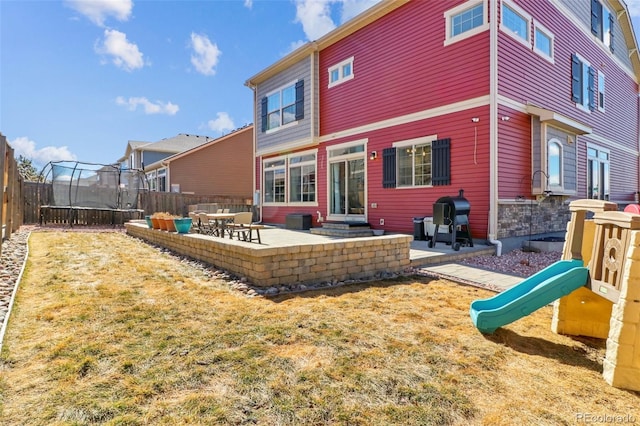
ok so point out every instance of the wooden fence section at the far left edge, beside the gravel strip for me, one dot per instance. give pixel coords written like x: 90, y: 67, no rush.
x: 12, y: 186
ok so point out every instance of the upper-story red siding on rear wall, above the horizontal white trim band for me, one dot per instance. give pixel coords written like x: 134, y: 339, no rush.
x: 400, y: 67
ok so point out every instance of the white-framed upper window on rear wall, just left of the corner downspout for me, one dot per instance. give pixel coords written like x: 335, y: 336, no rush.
x: 465, y: 20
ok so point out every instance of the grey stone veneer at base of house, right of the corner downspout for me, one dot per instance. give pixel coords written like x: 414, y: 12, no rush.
x: 519, y: 218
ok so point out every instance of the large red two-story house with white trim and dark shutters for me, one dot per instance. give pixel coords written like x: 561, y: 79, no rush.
x: 523, y: 104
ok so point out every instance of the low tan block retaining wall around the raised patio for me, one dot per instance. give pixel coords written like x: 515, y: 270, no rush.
x: 266, y: 266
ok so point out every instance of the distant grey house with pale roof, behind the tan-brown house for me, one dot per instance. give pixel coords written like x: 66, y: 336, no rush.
x: 148, y: 156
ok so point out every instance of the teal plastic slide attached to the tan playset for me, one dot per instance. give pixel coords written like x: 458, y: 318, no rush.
x: 535, y: 292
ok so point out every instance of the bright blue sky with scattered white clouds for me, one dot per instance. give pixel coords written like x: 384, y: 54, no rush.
x: 80, y: 78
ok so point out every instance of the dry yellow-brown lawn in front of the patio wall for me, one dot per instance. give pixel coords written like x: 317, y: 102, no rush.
x: 108, y: 330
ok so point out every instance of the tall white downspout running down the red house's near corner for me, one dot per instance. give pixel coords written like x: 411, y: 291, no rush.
x: 493, y: 127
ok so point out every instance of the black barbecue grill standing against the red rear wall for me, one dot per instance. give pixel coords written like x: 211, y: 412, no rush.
x: 454, y: 213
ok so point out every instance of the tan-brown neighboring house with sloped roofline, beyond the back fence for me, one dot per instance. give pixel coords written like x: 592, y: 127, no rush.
x: 222, y: 166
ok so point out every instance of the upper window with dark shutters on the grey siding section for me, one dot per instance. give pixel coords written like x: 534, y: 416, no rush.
x: 283, y: 106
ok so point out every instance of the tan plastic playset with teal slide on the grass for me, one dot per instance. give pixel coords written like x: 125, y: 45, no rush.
x: 595, y: 288
